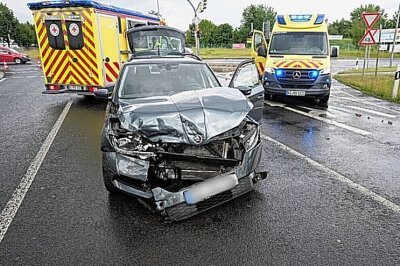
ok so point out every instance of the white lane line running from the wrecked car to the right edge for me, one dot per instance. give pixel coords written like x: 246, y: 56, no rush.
x: 338, y: 177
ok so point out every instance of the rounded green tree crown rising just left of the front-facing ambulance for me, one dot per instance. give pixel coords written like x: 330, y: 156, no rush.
x: 256, y: 15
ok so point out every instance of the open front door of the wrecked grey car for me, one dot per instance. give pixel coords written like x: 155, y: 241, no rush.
x: 246, y: 80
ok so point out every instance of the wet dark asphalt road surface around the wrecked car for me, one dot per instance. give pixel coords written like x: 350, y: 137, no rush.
x: 300, y: 215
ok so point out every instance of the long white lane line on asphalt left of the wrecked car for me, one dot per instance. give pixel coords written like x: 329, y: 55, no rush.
x: 12, y: 206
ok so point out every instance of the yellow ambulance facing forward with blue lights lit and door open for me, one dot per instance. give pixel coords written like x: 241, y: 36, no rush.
x: 295, y: 61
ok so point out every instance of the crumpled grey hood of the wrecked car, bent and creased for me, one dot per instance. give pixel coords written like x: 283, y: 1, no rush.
x: 191, y: 117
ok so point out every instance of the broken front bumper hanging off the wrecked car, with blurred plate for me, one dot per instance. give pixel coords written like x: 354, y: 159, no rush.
x: 193, y: 199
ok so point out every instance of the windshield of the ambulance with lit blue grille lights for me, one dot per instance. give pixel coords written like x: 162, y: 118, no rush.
x: 299, y: 43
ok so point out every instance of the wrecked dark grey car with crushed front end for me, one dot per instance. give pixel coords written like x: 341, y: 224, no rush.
x: 176, y: 139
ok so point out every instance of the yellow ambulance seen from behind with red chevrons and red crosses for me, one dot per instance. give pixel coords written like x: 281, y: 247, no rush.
x: 83, y: 44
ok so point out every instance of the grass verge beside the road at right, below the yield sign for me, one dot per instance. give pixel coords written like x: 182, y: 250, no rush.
x: 381, y: 87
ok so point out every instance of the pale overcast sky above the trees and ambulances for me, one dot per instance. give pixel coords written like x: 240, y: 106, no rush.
x: 179, y: 14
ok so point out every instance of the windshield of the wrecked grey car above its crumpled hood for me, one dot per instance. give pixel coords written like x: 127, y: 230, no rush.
x: 147, y: 80
